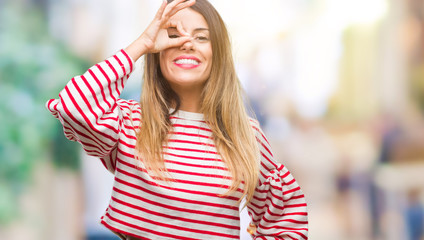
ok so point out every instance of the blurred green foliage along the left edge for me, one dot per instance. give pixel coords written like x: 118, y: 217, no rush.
x: 33, y: 68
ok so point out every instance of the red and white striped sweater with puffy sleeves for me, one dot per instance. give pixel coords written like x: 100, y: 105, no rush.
x: 193, y: 205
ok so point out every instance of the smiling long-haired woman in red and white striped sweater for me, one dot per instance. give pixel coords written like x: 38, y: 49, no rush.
x: 185, y: 156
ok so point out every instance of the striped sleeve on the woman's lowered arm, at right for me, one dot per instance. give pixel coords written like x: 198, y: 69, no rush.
x: 278, y: 207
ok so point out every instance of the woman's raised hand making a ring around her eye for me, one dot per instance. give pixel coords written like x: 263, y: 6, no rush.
x: 155, y: 38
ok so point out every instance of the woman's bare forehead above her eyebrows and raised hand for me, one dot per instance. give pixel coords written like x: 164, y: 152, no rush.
x: 190, y: 19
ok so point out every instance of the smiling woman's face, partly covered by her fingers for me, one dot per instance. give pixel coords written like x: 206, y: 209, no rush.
x: 190, y: 64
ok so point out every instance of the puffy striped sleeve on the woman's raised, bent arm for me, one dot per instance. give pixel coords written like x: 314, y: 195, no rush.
x: 88, y: 106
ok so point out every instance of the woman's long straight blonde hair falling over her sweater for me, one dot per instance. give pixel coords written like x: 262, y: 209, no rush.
x: 221, y: 104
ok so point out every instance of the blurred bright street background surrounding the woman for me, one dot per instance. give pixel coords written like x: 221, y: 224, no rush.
x: 338, y: 86
